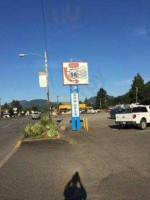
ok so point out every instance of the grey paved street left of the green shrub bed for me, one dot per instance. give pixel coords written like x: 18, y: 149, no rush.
x: 10, y: 133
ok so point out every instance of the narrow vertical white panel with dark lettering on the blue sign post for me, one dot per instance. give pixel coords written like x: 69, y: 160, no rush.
x: 75, y: 104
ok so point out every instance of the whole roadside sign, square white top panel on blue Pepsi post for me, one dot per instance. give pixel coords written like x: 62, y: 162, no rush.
x: 74, y: 74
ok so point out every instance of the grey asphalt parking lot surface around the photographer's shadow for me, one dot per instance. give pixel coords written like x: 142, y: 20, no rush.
x: 113, y: 164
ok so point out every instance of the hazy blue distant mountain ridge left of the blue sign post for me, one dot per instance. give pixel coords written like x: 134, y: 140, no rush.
x: 35, y: 102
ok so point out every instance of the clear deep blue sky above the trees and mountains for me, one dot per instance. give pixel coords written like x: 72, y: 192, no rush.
x: 113, y: 36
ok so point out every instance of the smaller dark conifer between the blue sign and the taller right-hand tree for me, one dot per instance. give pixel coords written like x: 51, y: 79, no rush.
x: 101, y: 99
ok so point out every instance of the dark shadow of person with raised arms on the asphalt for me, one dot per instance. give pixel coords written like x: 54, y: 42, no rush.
x: 74, y: 190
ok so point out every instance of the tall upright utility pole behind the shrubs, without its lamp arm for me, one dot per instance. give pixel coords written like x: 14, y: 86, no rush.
x: 47, y: 80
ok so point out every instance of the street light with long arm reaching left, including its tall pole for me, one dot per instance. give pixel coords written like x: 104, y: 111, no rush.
x: 46, y: 70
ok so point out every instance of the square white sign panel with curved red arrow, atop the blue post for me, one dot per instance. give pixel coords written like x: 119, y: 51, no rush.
x: 75, y: 73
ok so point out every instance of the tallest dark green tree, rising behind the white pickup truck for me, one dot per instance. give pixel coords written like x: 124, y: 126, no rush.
x: 137, y: 87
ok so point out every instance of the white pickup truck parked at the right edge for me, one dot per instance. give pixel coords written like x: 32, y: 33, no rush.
x: 138, y: 116
